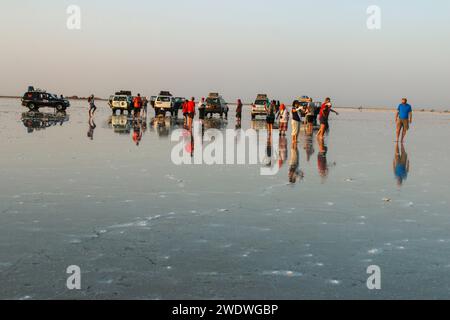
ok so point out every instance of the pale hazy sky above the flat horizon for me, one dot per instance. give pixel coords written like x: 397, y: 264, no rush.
x: 285, y: 48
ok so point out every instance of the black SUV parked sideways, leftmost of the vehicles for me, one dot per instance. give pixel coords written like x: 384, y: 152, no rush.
x: 35, y: 99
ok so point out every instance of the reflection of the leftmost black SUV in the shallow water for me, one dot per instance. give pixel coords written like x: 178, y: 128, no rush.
x: 35, y: 121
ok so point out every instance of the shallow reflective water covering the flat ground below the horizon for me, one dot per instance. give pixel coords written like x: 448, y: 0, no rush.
x: 103, y: 194
